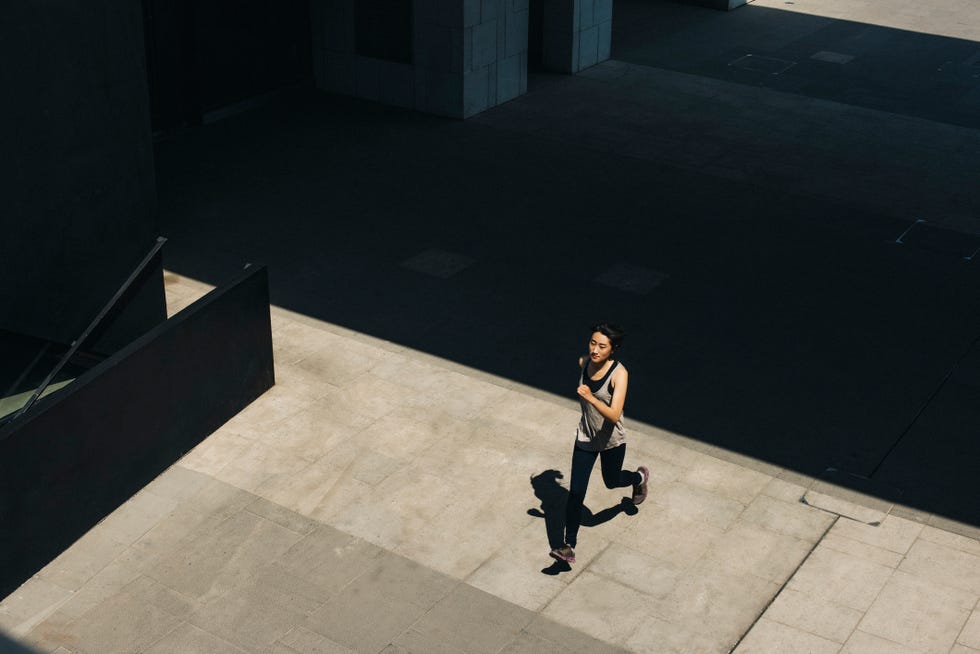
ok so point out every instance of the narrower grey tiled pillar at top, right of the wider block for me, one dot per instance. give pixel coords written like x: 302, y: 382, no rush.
x: 577, y: 34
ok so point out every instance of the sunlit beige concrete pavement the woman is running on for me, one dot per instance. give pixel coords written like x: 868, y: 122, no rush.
x: 378, y: 499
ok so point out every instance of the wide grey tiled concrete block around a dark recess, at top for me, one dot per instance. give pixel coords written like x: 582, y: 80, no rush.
x: 467, y: 56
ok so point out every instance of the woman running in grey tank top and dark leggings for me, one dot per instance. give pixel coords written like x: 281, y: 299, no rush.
x: 600, y: 433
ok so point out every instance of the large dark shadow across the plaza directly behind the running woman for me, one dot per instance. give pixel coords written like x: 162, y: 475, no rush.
x: 765, y: 315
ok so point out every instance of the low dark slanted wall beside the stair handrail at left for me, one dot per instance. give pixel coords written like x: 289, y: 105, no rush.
x: 80, y: 453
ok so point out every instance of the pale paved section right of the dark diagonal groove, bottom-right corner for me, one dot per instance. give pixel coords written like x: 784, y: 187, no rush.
x: 854, y: 590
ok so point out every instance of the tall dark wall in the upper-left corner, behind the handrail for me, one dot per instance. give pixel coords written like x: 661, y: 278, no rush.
x: 77, y: 167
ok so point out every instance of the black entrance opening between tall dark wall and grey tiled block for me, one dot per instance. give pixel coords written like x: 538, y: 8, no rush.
x: 202, y: 56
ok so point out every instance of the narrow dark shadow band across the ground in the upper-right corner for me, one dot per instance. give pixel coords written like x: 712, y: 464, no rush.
x: 900, y: 71
